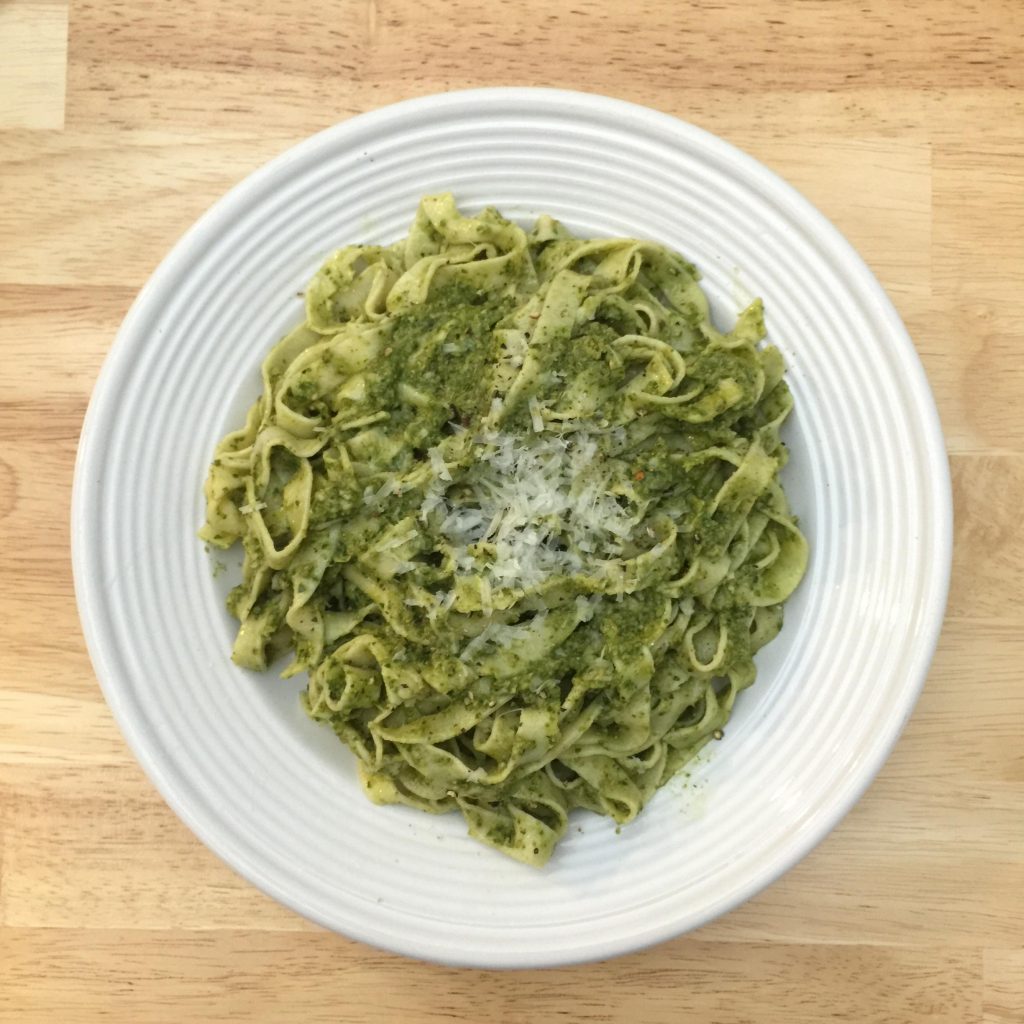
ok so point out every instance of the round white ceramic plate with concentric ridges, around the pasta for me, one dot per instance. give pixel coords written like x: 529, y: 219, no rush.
x: 275, y: 795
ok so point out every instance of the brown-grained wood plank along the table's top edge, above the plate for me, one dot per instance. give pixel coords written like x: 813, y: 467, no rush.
x: 331, y: 57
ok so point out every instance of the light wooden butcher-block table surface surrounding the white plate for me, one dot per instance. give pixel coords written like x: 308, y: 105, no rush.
x: 122, y: 120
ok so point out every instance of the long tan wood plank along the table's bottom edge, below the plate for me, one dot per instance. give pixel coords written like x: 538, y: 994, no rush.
x: 260, y: 976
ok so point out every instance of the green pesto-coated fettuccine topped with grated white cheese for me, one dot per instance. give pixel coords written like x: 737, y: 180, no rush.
x: 513, y: 502
